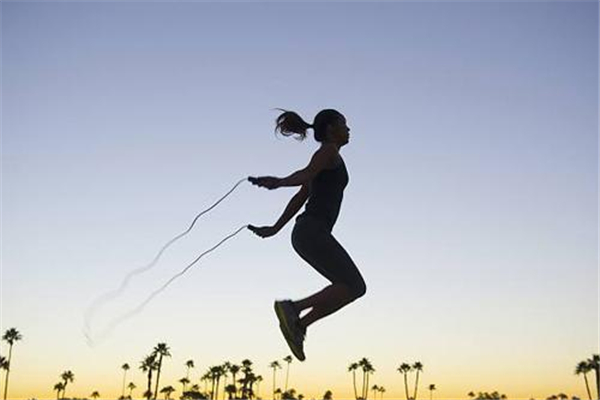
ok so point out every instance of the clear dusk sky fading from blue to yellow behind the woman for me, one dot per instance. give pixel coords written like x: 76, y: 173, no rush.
x: 472, y: 207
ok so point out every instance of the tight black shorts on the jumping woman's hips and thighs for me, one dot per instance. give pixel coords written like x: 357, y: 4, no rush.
x: 313, y: 241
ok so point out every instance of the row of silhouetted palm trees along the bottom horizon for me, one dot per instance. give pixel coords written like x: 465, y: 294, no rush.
x: 240, y: 381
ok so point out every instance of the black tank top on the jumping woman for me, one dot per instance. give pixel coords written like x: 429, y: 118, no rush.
x: 326, y: 192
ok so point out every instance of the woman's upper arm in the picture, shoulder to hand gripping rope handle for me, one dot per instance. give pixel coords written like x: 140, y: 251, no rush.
x: 323, y: 158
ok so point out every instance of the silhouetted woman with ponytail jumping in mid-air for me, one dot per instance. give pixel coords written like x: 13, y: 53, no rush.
x: 322, y: 183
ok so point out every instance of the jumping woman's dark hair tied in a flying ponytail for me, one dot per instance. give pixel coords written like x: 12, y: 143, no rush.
x: 289, y: 123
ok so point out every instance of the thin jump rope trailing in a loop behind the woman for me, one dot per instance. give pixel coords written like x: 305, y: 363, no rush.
x: 91, y: 336
